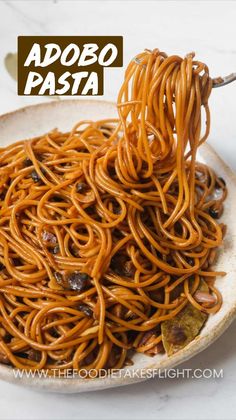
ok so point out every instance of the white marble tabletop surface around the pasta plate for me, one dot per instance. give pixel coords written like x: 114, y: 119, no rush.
x: 176, y: 27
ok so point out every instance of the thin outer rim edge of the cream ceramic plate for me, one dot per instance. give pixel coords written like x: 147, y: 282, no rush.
x: 75, y: 385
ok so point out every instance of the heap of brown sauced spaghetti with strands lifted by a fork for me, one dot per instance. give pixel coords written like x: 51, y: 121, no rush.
x: 108, y: 231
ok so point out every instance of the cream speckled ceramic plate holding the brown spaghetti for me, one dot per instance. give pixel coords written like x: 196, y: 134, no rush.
x: 36, y: 120
